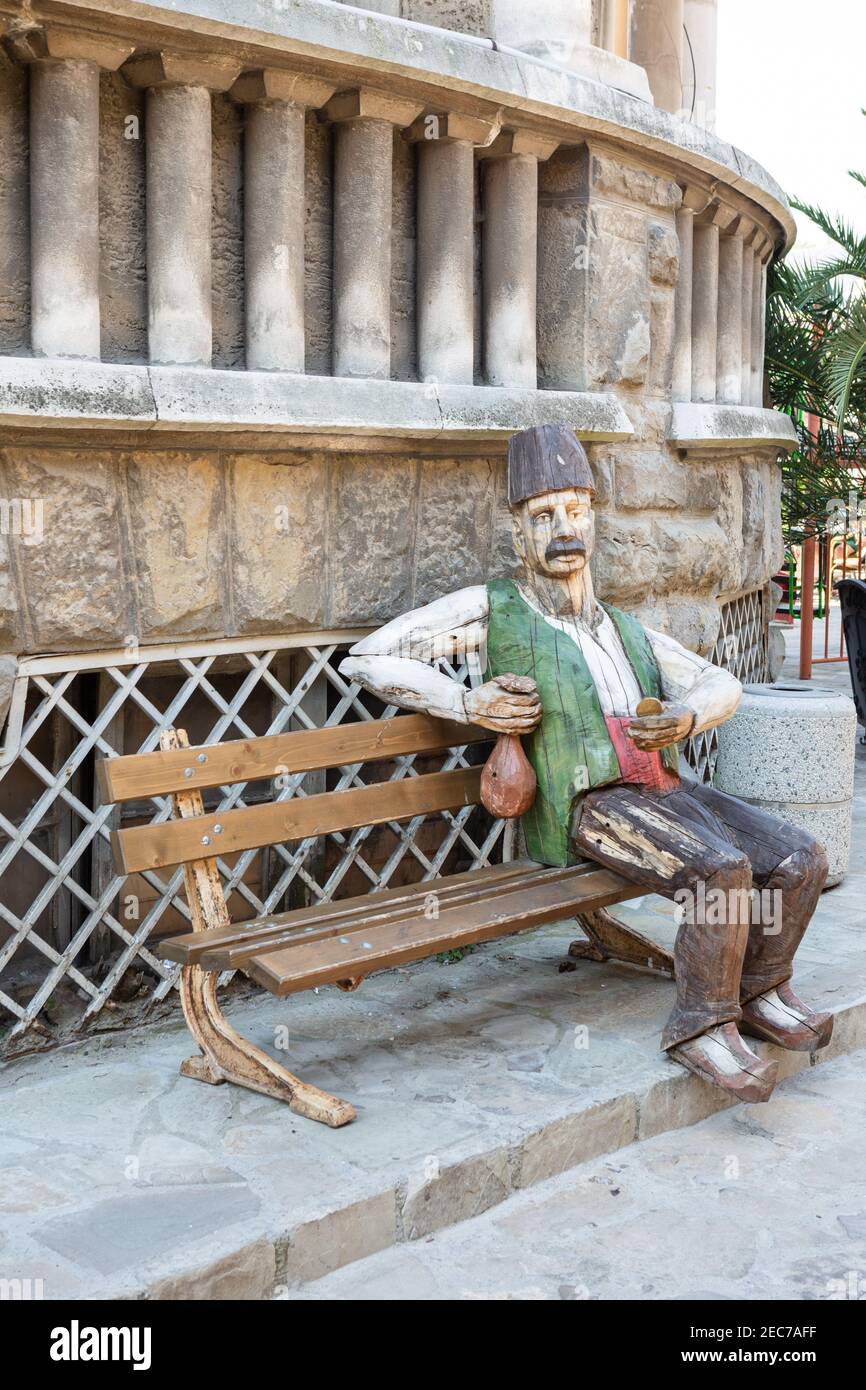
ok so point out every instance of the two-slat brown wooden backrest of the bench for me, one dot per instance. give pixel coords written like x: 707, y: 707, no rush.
x: 248, y: 760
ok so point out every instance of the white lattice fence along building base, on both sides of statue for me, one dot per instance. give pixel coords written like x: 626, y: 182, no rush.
x: 77, y: 940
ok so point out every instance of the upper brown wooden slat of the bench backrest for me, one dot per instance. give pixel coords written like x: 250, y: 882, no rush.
x: 248, y: 760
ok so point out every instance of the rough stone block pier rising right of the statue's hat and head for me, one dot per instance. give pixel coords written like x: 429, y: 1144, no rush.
x: 678, y: 536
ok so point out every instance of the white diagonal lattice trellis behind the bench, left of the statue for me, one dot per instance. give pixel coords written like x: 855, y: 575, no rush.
x: 42, y: 694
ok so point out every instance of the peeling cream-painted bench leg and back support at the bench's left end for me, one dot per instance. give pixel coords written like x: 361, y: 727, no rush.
x: 226, y: 1056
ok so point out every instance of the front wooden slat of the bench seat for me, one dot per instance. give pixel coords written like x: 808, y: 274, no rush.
x: 390, y: 945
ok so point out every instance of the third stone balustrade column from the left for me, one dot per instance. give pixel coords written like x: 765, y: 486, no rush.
x: 275, y: 213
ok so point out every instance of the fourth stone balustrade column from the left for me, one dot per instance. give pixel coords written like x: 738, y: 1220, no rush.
x: 362, y: 229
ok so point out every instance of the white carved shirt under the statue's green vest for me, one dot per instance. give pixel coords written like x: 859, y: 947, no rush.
x: 395, y: 662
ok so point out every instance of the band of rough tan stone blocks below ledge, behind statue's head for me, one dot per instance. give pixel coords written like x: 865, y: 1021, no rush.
x: 145, y: 546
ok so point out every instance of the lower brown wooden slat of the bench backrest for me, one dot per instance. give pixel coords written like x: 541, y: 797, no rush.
x: 273, y: 824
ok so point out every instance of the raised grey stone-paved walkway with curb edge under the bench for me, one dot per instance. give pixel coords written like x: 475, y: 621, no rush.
x: 473, y: 1082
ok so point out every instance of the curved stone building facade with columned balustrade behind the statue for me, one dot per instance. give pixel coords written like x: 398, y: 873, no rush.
x: 277, y: 283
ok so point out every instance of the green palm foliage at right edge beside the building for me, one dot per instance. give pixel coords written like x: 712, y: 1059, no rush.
x: 817, y: 366
